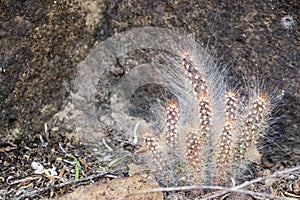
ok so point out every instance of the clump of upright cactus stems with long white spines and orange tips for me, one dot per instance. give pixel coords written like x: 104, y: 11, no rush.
x: 210, y: 147
